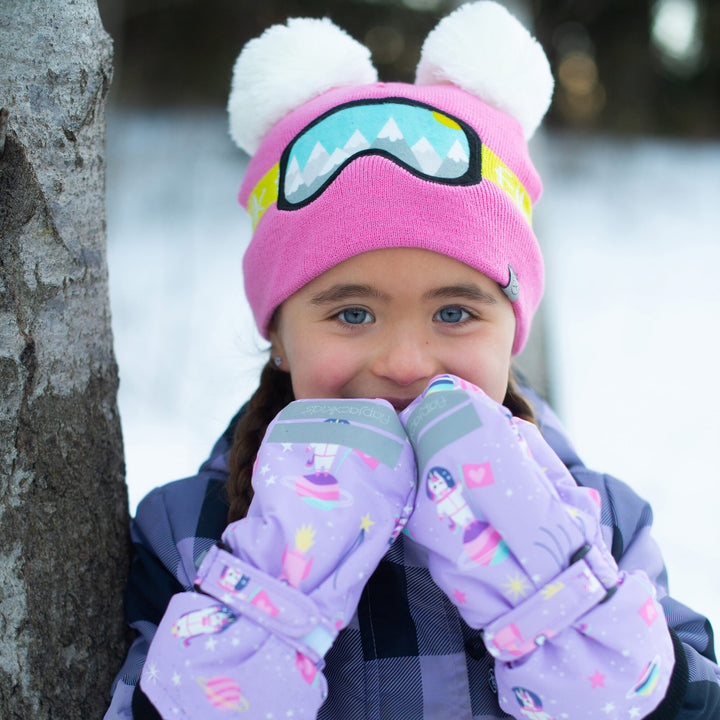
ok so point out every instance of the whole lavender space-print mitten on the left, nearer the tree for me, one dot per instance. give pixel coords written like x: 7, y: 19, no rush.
x: 334, y: 483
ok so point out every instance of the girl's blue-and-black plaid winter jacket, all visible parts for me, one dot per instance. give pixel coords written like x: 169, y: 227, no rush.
x: 407, y: 654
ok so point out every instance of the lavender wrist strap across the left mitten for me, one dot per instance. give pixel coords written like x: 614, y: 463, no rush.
x: 269, y: 602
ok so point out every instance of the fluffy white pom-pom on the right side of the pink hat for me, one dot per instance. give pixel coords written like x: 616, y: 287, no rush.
x: 483, y: 49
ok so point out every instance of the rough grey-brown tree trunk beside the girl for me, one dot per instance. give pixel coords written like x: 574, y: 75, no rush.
x: 63, y: 503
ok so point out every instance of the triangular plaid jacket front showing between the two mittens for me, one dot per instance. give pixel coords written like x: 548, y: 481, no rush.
x: 408, y: 653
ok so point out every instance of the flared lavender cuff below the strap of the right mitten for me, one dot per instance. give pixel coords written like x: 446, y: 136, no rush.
x: 616, y: 661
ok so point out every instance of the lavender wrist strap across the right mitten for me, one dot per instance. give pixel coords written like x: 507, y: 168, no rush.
x: 588, y: 581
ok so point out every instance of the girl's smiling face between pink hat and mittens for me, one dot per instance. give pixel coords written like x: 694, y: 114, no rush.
x: 384, y: 323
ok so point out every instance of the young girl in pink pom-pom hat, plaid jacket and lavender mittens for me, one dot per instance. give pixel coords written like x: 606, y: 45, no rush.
x: 392, y: 527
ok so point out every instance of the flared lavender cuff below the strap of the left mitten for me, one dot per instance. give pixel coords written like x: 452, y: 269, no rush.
x: 206, y: 663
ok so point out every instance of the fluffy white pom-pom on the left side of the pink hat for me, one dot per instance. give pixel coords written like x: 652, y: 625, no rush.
x: 287, y: 66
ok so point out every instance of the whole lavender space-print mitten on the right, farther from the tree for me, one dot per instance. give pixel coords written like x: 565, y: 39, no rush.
x: 516, y: 545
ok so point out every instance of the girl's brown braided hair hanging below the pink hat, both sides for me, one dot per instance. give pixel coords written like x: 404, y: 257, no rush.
x: 272, y: 395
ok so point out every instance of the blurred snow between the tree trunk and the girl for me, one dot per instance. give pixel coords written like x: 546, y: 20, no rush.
x: 187, y: 352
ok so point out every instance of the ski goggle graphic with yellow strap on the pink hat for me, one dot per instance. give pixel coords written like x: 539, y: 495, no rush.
x: 424, y: 140
